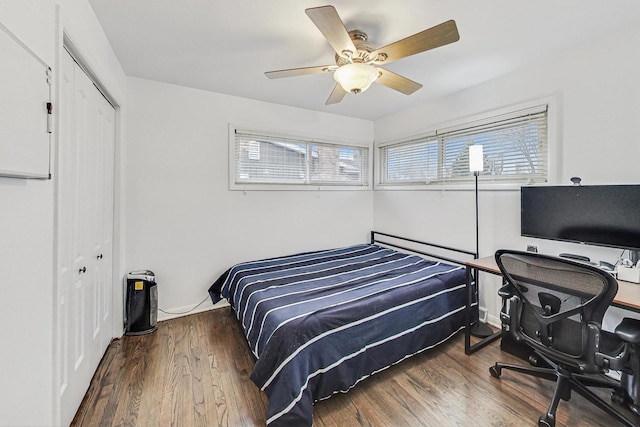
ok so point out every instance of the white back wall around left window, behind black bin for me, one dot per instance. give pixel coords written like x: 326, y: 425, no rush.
x: 185, y: 224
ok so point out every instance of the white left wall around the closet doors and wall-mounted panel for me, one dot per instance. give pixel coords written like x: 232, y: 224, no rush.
x: 27, y: 285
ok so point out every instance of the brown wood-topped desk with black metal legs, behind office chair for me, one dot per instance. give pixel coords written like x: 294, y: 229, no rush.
x: 628, y: 297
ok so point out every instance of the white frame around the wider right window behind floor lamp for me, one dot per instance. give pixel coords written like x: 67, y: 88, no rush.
x: 487, y: 182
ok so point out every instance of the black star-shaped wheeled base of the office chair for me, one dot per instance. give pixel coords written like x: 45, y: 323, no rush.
x: 566, y: 382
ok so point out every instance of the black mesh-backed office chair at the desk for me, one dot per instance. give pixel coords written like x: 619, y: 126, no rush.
x: 556, y: 307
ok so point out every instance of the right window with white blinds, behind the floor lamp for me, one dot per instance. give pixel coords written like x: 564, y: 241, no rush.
x: 514, y: 150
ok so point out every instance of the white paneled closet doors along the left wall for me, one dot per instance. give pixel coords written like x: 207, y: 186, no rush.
x: 84, y: 205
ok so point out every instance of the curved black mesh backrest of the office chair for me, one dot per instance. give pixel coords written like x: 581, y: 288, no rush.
x: 559, y: 299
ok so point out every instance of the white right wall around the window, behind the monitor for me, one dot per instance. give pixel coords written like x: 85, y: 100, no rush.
x: 596, y: 92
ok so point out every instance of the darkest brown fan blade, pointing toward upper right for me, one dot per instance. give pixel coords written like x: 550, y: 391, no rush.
x: 437, y: 36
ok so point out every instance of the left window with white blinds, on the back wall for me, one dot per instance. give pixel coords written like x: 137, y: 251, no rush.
x: 261, y: 159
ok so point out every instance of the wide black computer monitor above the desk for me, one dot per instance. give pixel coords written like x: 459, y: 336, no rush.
x: 602, y: 215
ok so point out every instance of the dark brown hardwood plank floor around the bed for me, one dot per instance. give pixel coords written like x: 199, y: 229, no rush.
x: 194, y: 371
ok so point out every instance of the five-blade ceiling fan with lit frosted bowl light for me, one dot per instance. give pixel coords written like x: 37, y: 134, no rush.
x: 357, y: 62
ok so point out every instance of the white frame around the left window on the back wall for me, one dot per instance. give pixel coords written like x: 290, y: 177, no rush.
x: 309, y: 139
